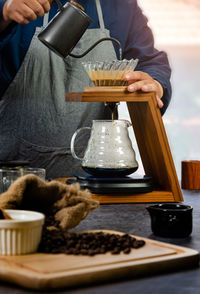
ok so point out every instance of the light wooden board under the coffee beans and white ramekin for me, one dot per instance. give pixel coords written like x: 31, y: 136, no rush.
x: 51, y: 271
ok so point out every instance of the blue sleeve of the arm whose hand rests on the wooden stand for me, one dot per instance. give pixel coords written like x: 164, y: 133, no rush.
x: 140, y: 44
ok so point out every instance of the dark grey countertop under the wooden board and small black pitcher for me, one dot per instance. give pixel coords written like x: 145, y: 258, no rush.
x: 134, y: 219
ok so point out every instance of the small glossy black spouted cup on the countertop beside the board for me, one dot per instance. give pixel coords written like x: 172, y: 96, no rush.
x: 171, y: 220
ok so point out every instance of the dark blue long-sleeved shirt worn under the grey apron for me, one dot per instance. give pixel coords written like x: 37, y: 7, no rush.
x: 126, y: 23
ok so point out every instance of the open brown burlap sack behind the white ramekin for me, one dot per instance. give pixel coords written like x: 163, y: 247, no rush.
x: 68, y: 203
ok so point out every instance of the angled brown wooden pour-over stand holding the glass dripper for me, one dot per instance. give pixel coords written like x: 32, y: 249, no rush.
x: 151, y: 139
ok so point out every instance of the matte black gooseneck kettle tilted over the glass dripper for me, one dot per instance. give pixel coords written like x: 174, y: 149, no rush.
x: 64, y: 31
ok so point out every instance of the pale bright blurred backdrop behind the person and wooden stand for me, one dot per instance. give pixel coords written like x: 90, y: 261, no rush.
x: 176, y: 28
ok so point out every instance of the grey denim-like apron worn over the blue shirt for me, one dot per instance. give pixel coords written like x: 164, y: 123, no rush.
x: 36, y: 123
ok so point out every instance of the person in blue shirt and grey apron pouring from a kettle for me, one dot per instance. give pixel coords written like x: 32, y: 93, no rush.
x: 35, y: 121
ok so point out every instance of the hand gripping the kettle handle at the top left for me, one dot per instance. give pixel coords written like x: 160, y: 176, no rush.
x: 23, y: 11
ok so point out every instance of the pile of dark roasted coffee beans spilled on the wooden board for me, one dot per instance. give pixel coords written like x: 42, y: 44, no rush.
x: 91, y: 243
